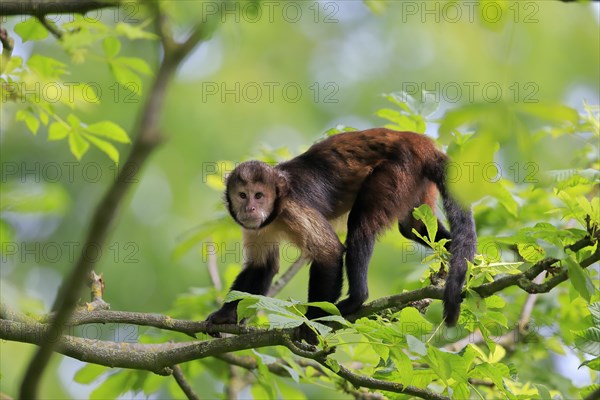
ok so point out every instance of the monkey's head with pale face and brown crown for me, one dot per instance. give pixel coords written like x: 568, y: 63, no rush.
x: 253, y: 191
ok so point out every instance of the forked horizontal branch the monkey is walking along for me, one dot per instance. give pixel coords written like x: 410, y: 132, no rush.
x: 159, y: 358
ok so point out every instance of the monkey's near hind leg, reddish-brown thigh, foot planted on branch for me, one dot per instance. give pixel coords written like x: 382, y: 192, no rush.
x: 386, y: 191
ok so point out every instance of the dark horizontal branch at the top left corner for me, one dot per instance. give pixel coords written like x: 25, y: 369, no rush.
x: 44, y: 7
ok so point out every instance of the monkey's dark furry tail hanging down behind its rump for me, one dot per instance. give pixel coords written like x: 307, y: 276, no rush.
x: 463, y: 243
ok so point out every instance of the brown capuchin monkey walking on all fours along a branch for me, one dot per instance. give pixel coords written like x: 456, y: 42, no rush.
x: 377, y: 177
